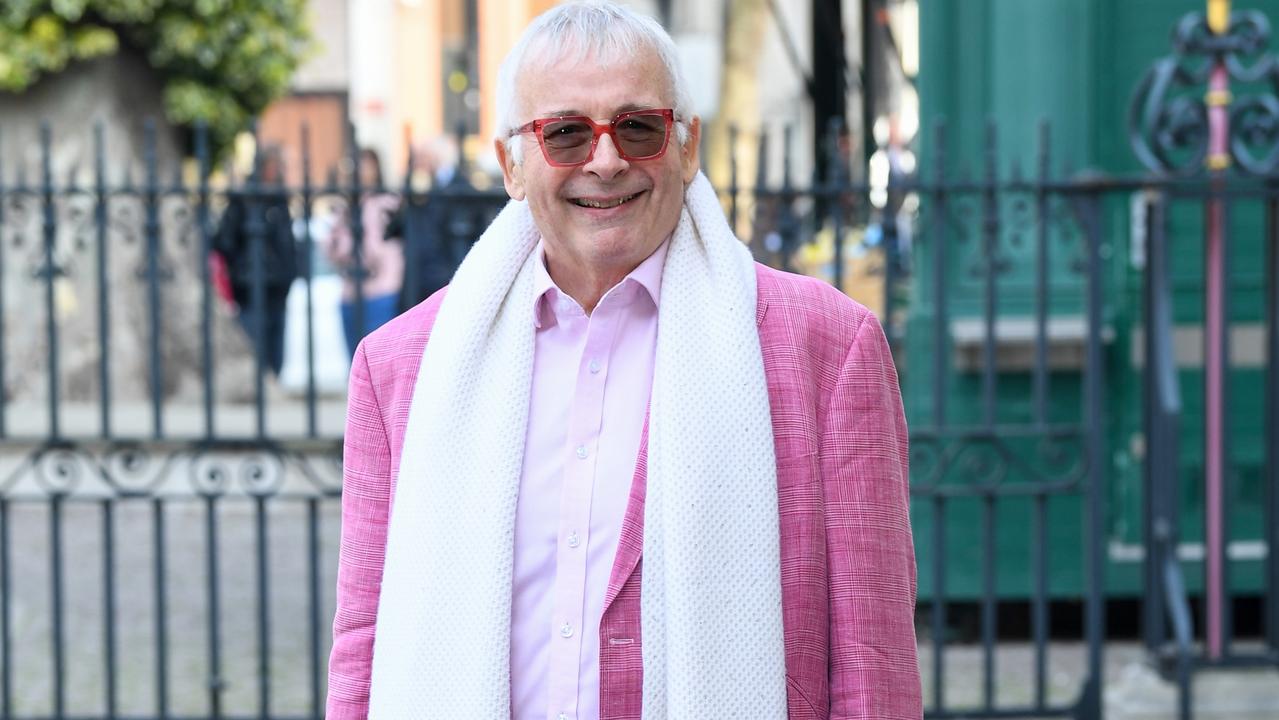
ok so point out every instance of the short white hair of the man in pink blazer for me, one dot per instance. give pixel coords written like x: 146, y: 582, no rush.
x: 603, y: 31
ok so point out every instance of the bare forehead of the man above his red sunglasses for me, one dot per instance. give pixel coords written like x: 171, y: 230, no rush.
x: 594, y: 86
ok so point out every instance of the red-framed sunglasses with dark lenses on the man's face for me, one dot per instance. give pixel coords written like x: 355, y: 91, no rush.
x: 570, y: 141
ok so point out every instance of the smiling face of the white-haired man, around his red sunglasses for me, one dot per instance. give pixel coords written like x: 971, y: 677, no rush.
x: 599, y: 241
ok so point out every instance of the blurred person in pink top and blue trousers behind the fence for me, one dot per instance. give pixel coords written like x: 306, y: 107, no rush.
x: 381, y: 268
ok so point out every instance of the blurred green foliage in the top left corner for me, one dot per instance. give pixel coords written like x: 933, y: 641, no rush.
x: 222, y: 61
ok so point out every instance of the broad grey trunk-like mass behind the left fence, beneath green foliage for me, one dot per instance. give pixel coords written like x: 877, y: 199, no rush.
x: 121, y: 94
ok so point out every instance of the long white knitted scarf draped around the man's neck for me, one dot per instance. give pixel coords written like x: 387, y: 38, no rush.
x: 712, y: 590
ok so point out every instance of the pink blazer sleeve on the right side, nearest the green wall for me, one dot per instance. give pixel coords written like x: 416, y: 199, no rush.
x: 874, y: 671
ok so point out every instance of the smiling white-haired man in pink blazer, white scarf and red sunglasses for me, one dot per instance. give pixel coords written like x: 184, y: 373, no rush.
x: 616, y: 469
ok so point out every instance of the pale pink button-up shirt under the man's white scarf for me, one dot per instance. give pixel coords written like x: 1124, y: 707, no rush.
x: 590, y: 393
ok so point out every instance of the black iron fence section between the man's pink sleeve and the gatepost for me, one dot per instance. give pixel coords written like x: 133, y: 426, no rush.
x: 1005, y: 374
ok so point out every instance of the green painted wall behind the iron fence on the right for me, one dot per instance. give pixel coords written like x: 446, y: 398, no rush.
x: 1074, y: 65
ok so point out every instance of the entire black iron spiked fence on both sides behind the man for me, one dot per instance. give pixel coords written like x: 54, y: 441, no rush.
x: 169, y: 503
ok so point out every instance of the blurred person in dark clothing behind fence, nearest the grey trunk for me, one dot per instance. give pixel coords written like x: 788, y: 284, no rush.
x: 258, y: 227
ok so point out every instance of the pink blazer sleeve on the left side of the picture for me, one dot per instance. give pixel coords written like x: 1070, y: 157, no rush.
x: 366, y: 499
